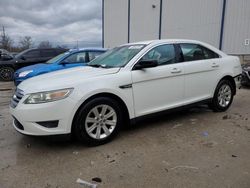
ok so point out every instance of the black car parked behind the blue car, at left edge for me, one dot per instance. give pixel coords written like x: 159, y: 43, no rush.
x: 26, y: 58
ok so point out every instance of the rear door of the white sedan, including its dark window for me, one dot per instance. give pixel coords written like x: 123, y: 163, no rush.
x: 201, y: 66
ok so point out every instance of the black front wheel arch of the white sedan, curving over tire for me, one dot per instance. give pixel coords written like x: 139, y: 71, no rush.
x: 122, y: 104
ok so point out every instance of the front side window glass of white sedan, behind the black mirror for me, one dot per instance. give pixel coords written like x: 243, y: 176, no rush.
x: 164, y: 54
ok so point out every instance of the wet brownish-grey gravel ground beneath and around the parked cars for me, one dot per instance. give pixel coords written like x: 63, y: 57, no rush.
x: 191, y: 148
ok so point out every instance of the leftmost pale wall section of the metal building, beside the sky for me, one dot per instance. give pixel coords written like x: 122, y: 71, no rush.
x: 115, y: 22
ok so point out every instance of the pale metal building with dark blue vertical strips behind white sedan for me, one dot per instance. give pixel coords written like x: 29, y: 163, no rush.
x: 222, y: 23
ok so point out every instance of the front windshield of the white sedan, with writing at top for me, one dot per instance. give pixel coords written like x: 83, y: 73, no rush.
x: 117, y: 57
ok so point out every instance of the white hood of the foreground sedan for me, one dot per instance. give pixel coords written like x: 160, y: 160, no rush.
x: 63, y: 79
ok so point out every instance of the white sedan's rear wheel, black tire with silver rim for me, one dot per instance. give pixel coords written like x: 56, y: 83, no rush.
x: 223, y: 96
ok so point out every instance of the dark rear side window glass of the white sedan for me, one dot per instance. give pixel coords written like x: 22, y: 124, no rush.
x: 193, y: 52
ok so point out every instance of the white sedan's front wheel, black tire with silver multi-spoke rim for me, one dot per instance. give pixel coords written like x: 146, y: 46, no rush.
x: 98, y: 121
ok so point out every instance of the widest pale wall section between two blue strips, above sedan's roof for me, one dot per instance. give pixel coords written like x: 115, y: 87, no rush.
x: 192, y: 19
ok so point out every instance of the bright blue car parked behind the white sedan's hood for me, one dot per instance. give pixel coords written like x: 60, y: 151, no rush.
x: 71, y: 58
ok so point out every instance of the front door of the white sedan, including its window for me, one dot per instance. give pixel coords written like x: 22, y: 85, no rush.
x: 159, y: 88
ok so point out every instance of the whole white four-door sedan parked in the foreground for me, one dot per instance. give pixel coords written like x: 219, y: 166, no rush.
x: 130, y: 81
